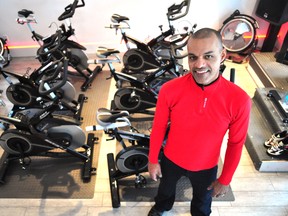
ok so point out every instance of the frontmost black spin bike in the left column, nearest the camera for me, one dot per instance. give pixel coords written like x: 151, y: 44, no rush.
x: 39, y: 132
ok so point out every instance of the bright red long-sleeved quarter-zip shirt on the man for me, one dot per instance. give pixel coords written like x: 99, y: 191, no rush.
x: 199, y: 118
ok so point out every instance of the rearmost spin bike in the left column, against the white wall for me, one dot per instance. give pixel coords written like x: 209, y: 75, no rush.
x: 78, y: 59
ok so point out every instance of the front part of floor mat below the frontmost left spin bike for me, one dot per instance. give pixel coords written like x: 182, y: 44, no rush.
x: 47, y: 177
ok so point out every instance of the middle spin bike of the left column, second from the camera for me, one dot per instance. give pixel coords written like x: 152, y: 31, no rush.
x: 23, y: 91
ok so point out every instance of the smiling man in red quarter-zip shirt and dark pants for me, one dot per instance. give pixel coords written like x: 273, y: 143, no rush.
x: 201, y: 107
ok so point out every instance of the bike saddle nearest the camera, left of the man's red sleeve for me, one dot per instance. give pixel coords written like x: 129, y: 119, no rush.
x: 105, y: 116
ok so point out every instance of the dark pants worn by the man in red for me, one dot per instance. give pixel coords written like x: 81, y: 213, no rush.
x: 200, y: 180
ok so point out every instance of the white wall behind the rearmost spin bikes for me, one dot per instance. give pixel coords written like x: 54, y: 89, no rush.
x: 90, y: 21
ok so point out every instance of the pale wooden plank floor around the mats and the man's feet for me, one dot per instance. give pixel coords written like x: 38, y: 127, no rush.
x: 256, y: 194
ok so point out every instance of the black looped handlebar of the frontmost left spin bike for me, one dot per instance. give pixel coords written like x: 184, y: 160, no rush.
x: 46, y: 78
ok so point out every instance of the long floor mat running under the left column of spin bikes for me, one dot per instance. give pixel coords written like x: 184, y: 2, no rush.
x: 59, y: 177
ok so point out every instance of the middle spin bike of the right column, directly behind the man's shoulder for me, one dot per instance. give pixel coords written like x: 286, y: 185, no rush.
x: 139, y: 94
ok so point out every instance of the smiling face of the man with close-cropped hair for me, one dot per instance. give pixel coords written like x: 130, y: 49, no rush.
x: 204, y: 58
